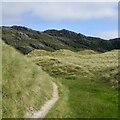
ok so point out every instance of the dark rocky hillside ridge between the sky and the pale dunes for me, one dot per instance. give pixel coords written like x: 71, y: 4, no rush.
x: 26, y: 40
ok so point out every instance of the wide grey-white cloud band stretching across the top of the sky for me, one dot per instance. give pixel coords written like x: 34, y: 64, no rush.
x: 59, y: 11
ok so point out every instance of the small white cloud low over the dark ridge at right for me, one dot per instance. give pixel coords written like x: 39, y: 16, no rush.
x: 108, y: 34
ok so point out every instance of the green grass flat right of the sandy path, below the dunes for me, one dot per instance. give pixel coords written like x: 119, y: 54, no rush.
x: 86, y: 99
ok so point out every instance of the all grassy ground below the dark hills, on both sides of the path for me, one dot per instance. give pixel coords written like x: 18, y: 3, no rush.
x: 87, y: 83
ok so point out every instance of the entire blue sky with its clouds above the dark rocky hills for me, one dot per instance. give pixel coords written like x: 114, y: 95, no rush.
x: 99, y: 19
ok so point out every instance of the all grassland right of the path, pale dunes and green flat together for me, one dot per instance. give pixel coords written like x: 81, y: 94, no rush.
x: 87, y: 81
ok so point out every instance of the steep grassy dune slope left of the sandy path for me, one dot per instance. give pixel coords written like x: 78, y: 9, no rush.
x: 25, y: 86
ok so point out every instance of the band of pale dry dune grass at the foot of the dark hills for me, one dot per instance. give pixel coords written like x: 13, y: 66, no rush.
x: 90, y: 61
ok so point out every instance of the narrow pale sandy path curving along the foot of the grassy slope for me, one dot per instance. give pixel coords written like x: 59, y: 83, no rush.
x: 47, y: 106
